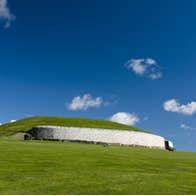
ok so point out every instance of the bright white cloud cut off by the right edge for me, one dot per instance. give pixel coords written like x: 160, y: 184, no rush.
x: 174, y: 106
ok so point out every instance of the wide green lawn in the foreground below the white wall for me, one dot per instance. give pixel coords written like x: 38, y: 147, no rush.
x: 43, y: 167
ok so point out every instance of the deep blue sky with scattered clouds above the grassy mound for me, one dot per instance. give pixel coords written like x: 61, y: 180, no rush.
x: 54, y: 51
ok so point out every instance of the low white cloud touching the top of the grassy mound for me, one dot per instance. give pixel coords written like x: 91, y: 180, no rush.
x: 125, y: 118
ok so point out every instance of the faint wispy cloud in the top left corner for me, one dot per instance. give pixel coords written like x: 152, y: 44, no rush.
x: 5, y: 13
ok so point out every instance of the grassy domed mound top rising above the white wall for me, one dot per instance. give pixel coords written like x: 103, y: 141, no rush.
x: 27, y: 123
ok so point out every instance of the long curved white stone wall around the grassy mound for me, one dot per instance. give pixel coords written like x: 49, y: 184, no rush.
x: 121, y: 137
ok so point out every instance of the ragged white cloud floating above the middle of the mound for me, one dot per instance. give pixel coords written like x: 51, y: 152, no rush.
x: 85, y: 102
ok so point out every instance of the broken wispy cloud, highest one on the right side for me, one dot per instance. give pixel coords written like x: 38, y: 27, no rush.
x: 145, y: 67
